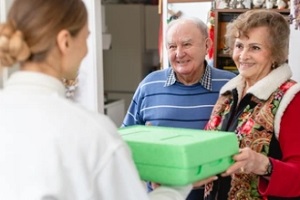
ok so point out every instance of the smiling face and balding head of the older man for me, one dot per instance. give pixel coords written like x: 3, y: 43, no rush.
x: 187, y: 49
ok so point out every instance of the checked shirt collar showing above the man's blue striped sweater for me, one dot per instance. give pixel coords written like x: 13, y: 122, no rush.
x: 205, y: 81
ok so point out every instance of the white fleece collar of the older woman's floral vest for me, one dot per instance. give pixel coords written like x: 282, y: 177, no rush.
x: 264, y: 87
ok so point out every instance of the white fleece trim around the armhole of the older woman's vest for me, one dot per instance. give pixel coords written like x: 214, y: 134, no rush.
x: 287, y: 98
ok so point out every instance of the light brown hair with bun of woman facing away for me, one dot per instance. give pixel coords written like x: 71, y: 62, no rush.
x: 32, y: 27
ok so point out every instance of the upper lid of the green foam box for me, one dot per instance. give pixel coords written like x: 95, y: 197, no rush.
x: 178, y: 147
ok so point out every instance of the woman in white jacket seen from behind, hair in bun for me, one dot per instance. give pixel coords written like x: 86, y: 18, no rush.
x: 50, y: 147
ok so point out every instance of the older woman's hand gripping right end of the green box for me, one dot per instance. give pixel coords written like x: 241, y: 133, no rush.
x: 248, y: 161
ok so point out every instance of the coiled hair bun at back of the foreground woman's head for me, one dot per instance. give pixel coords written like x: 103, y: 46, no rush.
x: 13, y: 48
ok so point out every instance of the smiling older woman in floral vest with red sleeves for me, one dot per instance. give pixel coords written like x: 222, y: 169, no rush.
x: 261, y: 105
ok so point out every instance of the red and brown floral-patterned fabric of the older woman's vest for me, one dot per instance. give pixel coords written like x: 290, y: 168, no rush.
x: 255, y: 128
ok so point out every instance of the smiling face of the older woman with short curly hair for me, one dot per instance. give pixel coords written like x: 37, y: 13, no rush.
x: 252, y: 55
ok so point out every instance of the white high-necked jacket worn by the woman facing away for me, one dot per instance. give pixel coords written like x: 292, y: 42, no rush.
x: 51, y: 148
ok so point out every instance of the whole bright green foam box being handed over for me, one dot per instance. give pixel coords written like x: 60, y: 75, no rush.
x: 179, y: 156
